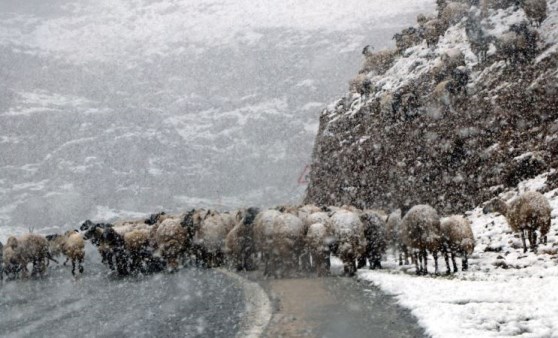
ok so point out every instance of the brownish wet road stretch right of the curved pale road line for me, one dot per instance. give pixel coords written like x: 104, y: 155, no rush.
x: 335, y: 307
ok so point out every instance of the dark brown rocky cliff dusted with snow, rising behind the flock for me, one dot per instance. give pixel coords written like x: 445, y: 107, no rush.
x: 440, y: 126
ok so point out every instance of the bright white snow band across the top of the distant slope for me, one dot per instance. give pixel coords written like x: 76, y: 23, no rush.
x: 130, y: 31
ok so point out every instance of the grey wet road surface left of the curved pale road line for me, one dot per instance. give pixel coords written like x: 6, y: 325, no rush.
x: 189, y: 303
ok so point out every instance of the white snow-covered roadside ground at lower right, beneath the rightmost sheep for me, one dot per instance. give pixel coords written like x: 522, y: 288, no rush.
x: 505, y: 292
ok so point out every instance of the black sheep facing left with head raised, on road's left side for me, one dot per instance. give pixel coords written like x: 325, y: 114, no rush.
x: 110, y: 244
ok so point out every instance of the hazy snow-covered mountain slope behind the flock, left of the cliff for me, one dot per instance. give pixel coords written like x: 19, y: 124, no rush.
x: 139, y: 106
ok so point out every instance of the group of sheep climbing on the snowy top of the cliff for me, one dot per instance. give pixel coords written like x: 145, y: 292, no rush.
x: 449, y: 76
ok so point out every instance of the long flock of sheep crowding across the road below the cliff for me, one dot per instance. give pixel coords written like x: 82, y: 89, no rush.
x: 283, y: 240
